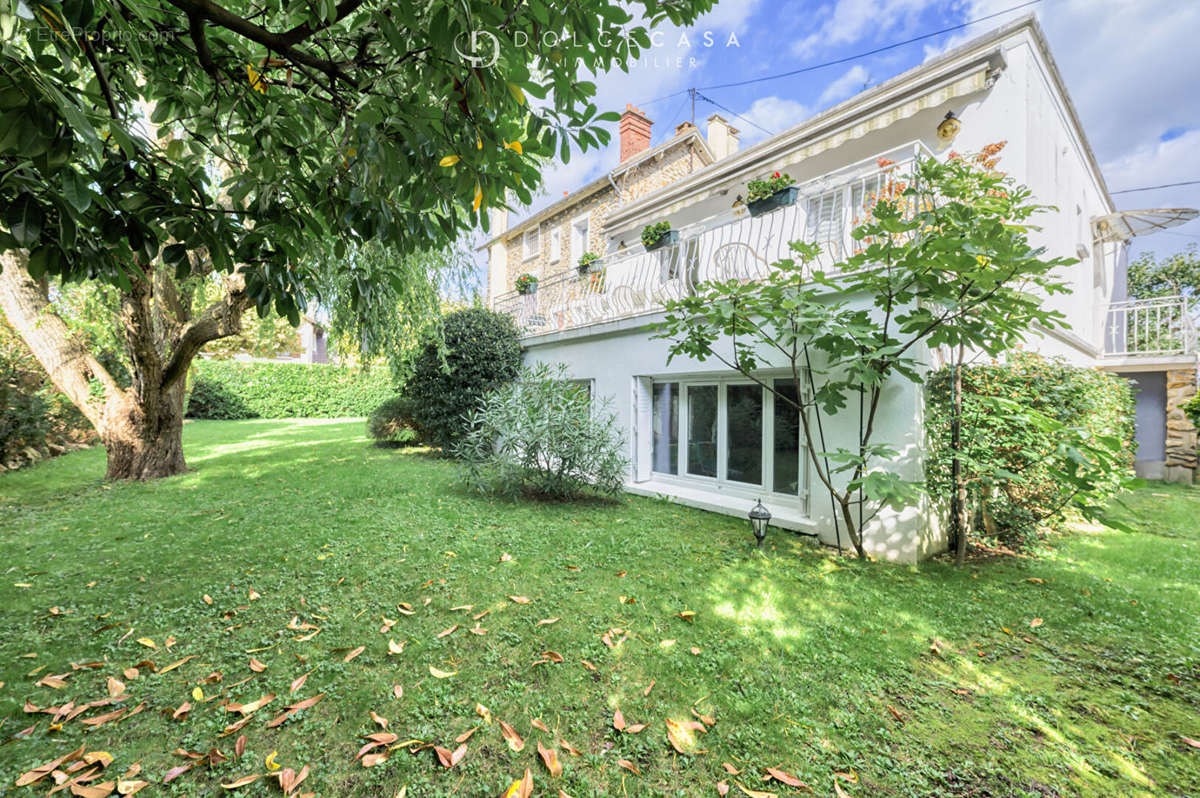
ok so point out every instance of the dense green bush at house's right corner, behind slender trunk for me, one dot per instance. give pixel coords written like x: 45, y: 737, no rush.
x: 1039, y: 436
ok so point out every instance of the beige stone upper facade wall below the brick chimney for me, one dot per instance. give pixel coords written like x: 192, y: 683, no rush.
x: 637, y: 182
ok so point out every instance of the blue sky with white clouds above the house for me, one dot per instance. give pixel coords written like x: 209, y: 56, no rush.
x: 1131, y: 68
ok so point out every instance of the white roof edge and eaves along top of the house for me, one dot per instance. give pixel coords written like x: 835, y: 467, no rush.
x: 855, y: 110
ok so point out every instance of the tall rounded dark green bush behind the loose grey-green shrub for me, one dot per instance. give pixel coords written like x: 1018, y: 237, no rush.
x: 459, y: 362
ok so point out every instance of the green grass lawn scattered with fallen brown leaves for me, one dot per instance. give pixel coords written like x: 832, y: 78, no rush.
x: 801, y: 653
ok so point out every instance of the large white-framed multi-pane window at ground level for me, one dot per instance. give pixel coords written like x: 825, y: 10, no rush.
x: 729, y: 435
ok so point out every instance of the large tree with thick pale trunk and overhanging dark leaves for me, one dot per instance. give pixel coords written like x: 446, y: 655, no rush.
x: 147, y: 145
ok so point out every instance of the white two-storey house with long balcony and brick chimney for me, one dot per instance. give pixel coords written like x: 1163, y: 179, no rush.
x: 712, y: 440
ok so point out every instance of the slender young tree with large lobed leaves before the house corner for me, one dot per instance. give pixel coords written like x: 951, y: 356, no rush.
x: 944, y: 260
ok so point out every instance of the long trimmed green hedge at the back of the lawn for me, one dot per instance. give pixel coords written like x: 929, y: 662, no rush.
x: 231, y: 389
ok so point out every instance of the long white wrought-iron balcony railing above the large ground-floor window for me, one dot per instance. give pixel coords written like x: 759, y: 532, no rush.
x: 730, y: 245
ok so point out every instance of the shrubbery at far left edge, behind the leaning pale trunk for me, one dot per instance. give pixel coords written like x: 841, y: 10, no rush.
x: 37, y: 422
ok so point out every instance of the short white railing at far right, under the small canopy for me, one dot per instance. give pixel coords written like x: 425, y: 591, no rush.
x: 1150, y: 327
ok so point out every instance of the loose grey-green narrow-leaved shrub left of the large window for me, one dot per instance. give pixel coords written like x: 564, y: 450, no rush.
x: 543, y: 437
